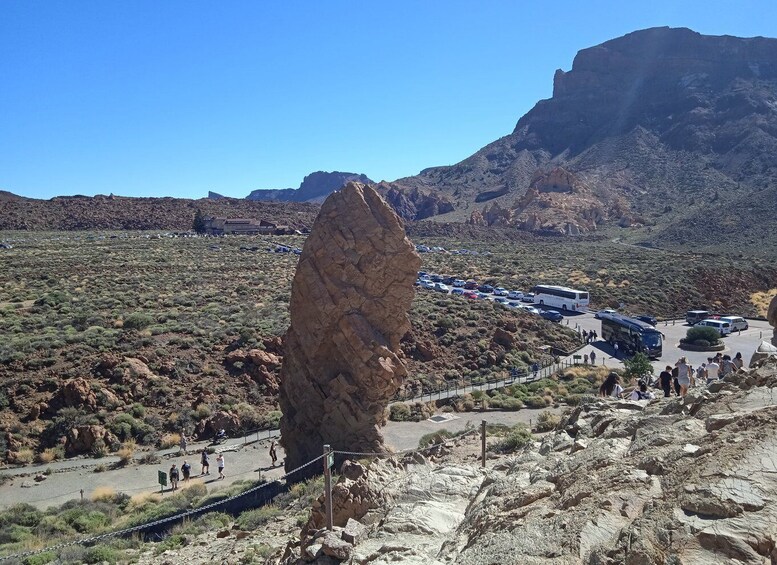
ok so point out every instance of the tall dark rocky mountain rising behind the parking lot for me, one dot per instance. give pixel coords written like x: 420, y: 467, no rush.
x: 661, y: 127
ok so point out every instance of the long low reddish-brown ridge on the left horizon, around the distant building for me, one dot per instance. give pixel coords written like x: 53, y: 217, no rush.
x: 120, y: 213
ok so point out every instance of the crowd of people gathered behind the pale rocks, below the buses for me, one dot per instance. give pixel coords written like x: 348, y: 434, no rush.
x: 679, y: 378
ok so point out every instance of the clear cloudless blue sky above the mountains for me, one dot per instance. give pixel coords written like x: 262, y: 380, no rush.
x: 176, y: 98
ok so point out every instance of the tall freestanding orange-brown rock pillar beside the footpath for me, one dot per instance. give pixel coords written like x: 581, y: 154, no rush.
x: 349, y: 302
